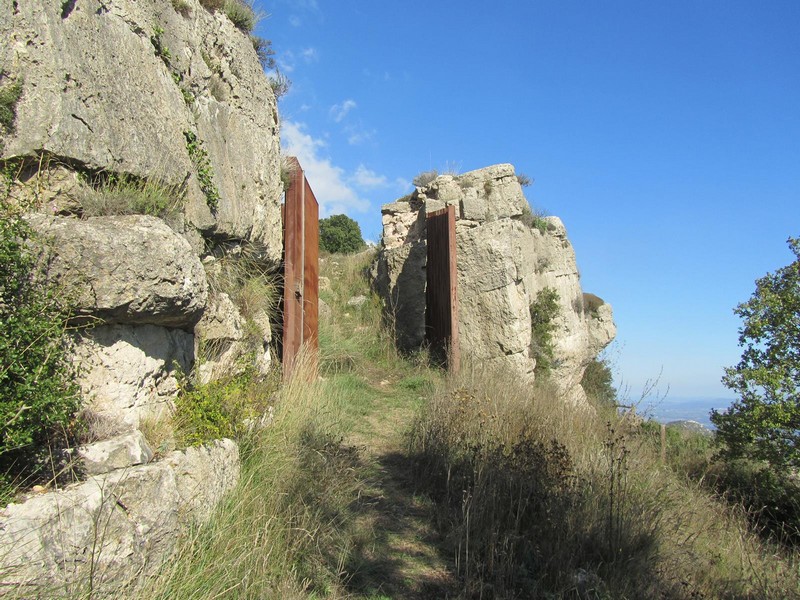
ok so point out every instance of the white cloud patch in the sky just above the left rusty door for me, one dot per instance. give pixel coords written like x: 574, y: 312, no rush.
x: 330, y: 183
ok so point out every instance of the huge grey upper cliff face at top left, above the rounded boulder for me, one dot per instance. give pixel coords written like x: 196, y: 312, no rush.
x: 115, y: 86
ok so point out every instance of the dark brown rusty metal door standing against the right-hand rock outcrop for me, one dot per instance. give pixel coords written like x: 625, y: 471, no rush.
x: 441, y: 291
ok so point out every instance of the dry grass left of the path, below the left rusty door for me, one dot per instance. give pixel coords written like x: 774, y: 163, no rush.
x: 274, y: 535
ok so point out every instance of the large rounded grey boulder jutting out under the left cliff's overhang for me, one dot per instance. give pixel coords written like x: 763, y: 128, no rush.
x: 126, y: 269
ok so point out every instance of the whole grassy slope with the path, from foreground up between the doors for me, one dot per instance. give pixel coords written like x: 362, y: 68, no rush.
x: 385, y: 478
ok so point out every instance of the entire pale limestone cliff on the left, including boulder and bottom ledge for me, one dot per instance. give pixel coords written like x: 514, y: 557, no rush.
x: 125, y: 102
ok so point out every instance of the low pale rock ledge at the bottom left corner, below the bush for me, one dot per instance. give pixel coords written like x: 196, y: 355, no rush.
x: 113, y: 529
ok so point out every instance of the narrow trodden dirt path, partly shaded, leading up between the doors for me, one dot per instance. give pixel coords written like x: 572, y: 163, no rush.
x: 402, y: 555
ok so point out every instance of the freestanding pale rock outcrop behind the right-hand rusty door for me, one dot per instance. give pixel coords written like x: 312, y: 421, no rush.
x: 503, y: 263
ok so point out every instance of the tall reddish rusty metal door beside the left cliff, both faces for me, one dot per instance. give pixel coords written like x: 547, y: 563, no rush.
x: 301, y: 269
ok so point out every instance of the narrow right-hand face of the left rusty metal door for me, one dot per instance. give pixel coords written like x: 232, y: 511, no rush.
x: 311, y: 271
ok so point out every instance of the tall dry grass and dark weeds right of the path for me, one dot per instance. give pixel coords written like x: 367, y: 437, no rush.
x: 546, y: 500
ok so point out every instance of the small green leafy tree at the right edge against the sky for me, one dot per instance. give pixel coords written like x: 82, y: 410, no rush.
x: 764, y: 423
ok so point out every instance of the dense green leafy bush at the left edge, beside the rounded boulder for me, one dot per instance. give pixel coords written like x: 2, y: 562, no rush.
x: 38, y: 397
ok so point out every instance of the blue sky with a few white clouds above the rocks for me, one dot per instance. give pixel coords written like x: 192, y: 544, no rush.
x: 665, y: 134
